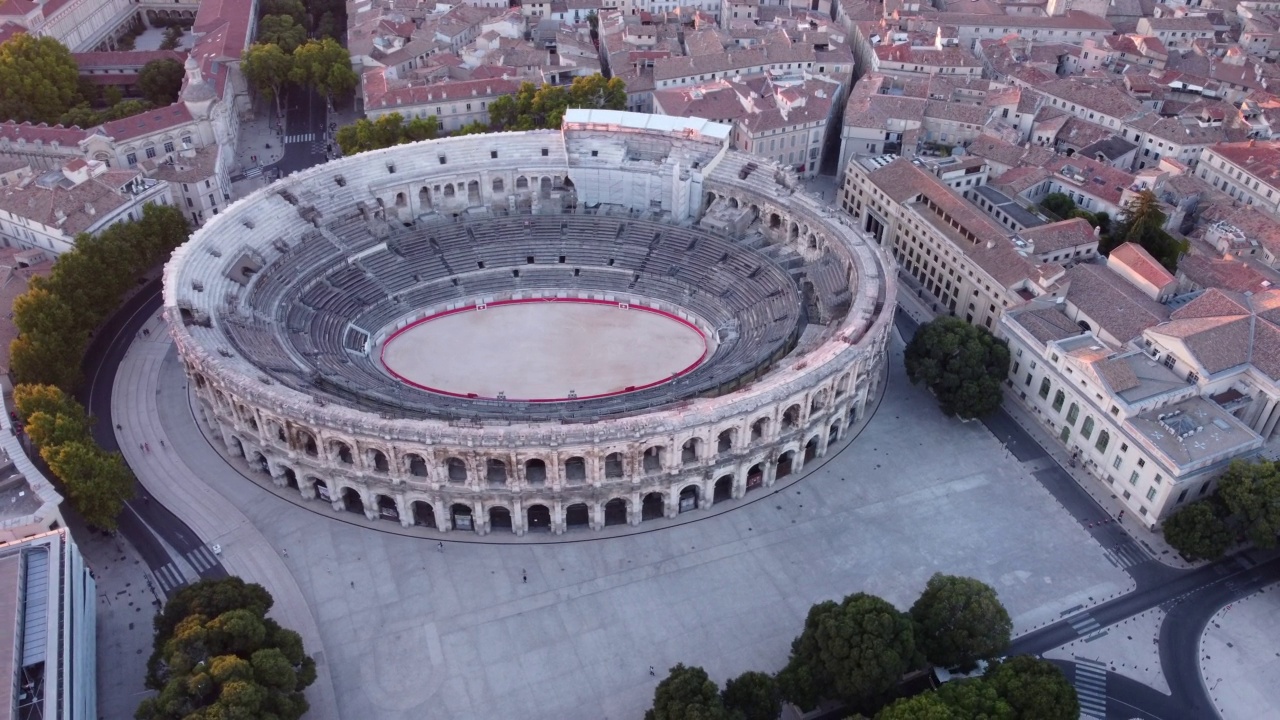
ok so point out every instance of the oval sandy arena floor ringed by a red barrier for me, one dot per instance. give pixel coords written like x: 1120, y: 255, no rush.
x: 545, y: 350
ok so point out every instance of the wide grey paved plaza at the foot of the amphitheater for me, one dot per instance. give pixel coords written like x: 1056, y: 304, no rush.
x: 410, y: 631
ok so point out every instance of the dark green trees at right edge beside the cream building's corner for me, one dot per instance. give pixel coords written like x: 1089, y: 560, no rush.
x: 1245, y: 508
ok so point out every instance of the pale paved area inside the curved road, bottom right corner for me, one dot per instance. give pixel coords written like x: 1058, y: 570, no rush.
x: 1241, y: 658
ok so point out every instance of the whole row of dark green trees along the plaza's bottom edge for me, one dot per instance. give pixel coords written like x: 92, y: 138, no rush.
x: 860, y: 650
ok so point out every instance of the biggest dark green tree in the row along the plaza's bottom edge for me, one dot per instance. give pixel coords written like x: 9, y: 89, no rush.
x: 857, y: 651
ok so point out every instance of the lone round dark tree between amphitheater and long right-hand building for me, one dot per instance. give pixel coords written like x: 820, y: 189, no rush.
x: 963, y: 364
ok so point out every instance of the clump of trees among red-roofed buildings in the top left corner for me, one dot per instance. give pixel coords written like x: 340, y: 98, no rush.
x: 40, y: 83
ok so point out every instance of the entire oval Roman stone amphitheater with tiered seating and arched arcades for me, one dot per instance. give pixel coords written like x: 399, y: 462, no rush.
x: 533, y: 332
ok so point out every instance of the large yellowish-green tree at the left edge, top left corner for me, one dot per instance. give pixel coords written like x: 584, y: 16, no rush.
x: 39, y: 80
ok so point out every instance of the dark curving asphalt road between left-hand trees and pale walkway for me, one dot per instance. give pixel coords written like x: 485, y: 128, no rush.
x: 144, y: 523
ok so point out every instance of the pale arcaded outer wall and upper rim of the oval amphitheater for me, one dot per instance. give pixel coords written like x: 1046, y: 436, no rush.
x: 531, y: 475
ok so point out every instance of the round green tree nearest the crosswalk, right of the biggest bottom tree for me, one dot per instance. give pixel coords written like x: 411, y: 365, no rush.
x: 961, y: 621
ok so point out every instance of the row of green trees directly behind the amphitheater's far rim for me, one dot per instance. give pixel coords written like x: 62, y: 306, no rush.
x: 529, y: 110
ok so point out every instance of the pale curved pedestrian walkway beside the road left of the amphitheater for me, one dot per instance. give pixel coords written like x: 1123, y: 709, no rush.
x: 190, y: 496
